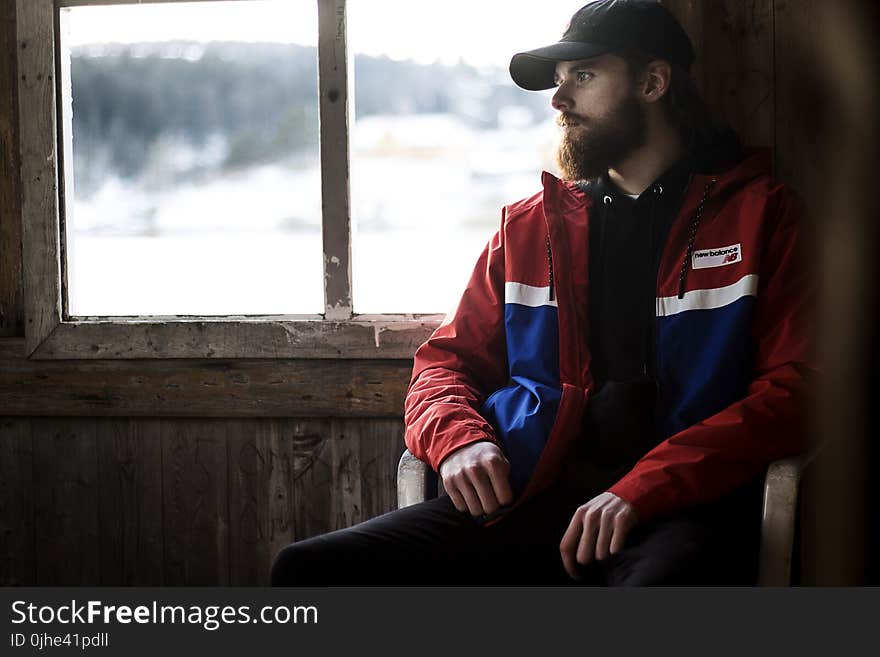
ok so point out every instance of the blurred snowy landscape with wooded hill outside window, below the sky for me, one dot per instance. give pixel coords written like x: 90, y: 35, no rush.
x: 225, y: 218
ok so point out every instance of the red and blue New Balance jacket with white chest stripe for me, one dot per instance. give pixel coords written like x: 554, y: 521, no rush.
x: 511, y: 363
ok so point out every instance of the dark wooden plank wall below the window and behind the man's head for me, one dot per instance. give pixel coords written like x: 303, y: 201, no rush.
x: 139, y: 473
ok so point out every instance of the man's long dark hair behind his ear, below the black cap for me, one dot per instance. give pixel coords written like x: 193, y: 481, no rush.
x: 685, y: 109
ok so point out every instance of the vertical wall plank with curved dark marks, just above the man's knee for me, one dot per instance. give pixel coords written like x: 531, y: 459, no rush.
x: 311, y: 475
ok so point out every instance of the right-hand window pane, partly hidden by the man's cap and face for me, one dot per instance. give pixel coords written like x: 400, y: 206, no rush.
x: 442, y: 138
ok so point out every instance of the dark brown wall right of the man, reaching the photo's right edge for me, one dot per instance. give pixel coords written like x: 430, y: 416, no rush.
x: 798, y: 75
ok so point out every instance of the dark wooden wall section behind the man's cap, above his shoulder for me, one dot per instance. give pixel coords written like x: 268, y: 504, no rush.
x: 753, y: 63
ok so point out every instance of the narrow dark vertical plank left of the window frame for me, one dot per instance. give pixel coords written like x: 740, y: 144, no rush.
x: 11, y: 299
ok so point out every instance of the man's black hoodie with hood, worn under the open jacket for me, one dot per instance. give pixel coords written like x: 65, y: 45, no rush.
x: 626, y: 241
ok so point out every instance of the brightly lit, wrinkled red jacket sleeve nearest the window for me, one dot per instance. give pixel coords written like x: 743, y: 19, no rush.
x: 462, y: 362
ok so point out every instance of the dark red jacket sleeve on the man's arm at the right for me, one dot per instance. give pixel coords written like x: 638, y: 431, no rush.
x: 705, y: 461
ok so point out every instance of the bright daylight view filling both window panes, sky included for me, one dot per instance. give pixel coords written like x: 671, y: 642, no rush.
x: 192, y: 180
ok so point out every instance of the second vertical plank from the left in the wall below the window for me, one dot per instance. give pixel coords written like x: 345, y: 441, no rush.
x: 65, y: 502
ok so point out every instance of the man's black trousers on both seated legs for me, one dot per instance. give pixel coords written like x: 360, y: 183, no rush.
x: 433, y: 544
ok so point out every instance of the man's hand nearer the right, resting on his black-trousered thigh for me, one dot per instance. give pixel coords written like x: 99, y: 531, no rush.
x: 597, y: 529
